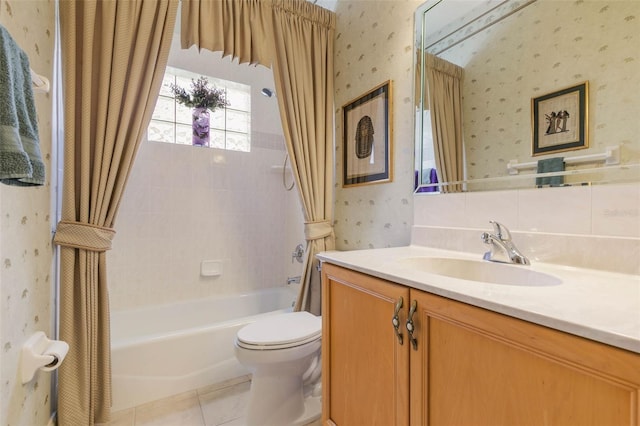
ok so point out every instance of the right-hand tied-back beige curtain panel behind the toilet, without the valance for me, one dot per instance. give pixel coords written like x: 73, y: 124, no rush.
x: 303, y: 74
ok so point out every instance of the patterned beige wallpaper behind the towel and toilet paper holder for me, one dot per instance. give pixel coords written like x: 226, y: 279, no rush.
x: 26, y: 277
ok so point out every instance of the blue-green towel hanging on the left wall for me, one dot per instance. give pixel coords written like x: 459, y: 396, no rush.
x: 20, y: 158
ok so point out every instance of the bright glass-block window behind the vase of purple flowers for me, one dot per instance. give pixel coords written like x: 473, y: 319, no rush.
x: 230, y: 127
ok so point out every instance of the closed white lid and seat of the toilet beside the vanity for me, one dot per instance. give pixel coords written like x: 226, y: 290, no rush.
x: 281, y: 331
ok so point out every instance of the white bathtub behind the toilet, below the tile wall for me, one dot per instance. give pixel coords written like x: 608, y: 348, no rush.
x: 165, y: 350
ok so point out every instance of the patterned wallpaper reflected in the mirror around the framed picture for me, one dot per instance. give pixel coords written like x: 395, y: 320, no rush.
x: 556, y: 45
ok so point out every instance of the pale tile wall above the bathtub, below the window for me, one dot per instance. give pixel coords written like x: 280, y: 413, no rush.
x: 187, y: 204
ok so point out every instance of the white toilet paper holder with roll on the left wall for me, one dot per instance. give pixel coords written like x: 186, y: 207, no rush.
x: 39, y: 352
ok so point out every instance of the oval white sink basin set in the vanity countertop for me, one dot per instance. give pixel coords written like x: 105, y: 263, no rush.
x: 482, y: 271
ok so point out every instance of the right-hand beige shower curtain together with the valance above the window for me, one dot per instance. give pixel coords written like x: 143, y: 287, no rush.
x: 295, y: 38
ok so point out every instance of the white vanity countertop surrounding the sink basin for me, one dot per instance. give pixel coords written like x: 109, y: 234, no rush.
x: 601, y: 306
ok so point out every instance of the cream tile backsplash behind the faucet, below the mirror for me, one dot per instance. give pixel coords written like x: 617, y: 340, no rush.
x: 588, y: 226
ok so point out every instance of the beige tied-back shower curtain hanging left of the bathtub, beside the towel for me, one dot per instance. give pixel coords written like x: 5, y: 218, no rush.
x: 114, y: 55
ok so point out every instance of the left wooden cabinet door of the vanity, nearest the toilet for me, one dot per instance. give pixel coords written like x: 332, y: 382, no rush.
x: 365, y: 369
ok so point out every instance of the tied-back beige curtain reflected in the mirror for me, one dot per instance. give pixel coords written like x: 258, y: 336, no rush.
x: 445, y: 103
